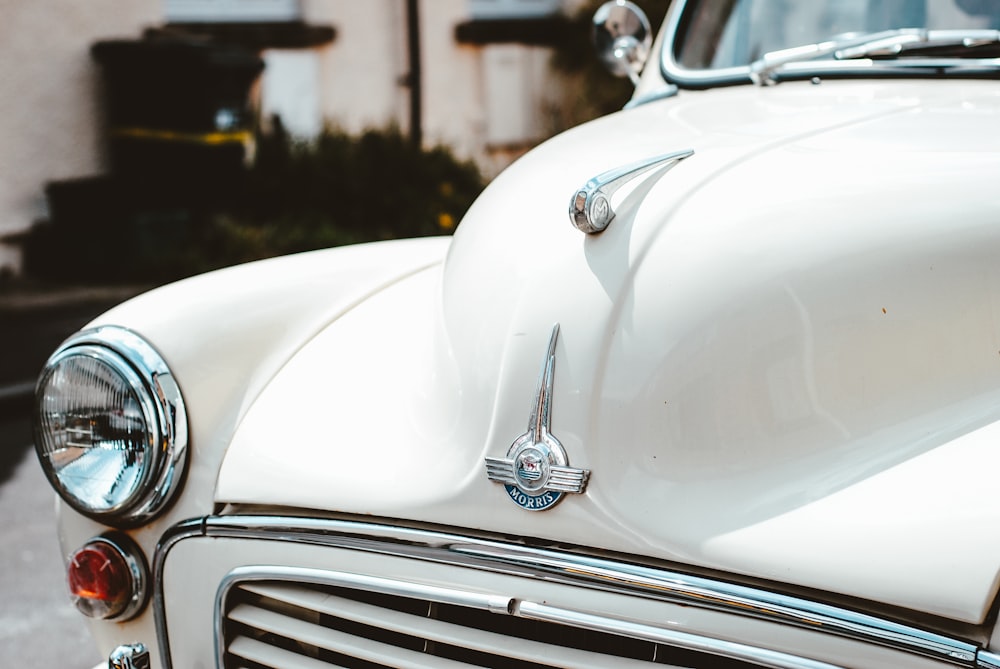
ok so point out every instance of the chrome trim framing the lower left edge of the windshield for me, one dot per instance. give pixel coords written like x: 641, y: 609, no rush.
x: 678, y: 19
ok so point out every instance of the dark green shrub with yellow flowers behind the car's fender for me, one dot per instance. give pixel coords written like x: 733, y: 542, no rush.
x: 343, y: 189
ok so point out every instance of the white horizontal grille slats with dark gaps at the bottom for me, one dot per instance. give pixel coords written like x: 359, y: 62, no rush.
x: 275, y: 624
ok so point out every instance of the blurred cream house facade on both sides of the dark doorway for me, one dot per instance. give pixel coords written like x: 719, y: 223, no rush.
x: 470, y: 74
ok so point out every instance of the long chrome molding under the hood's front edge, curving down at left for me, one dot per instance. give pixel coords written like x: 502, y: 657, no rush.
x: 567, y: 568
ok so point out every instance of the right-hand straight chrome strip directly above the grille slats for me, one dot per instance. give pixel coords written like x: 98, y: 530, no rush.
x: 695, y: 642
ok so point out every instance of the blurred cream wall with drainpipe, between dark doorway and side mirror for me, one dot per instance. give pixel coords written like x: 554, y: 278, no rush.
x: 484, y: 77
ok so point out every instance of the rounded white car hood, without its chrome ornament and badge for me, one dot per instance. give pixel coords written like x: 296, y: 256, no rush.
x: 781, y: 360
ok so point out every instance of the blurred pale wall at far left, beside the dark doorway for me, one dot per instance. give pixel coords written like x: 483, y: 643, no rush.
x: 49, y: 112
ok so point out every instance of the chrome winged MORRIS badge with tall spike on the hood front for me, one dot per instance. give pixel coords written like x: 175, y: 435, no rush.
x: 536, y: 471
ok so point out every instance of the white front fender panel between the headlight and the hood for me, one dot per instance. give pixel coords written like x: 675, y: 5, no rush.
x: 270, y: 312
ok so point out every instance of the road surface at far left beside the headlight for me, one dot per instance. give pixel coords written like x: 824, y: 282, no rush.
x: 38, y: 624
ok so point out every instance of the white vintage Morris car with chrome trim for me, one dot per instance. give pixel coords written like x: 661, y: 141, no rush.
x: 710, y: 382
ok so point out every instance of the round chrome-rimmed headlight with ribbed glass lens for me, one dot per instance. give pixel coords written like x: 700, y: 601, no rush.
x: 110, y: 426
